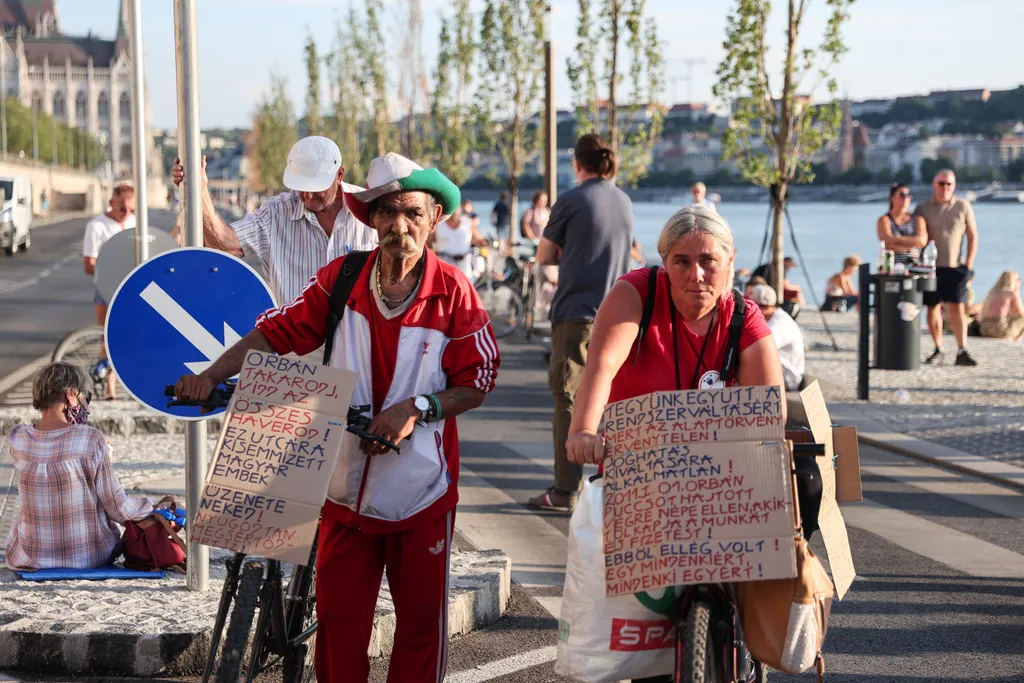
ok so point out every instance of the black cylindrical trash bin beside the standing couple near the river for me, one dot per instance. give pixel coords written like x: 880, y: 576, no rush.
x: 899, y: 316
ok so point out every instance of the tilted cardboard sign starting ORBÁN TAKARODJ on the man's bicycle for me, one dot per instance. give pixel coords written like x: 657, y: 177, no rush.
x: 271, y: 471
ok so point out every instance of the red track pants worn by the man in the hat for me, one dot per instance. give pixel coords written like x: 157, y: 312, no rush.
x: 350, y: 567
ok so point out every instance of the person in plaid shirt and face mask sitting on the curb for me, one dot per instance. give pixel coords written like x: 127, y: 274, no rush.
x: 71, y: 499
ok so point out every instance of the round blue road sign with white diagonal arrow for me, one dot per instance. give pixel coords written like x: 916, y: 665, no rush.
x: 176, y: 315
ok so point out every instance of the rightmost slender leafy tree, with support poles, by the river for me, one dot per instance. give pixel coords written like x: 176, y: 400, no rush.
x: 790, y: 131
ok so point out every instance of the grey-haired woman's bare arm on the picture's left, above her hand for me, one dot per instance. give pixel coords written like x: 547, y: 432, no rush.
x: 615, y: 331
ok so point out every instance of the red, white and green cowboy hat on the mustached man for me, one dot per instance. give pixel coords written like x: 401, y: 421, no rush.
x: 395, y: 174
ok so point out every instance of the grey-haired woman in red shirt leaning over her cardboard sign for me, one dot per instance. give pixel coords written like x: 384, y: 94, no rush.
x: 686, y: 346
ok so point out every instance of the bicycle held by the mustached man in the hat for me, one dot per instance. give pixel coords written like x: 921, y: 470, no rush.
x: 286, y: 628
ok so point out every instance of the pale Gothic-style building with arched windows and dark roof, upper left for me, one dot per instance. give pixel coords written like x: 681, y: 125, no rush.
x: 82, y: 81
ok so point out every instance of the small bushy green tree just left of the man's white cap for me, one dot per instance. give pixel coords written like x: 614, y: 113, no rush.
x: 274, y: 129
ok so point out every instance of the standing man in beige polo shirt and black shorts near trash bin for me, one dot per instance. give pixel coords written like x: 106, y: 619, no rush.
x: 950, y: 221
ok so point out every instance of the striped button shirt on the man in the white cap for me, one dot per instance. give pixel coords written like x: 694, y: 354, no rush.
x: 291, y: 245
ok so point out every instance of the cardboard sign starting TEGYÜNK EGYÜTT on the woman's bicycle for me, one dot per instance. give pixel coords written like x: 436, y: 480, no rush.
x: 695, y: 511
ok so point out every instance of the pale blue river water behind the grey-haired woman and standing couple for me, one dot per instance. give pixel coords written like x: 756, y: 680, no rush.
x: 828, y: 233
